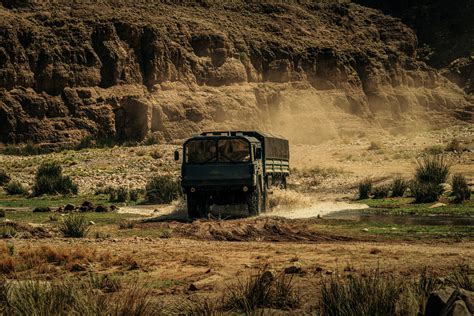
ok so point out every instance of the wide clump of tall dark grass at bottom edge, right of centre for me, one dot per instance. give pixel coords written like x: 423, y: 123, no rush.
x: 359, y: 295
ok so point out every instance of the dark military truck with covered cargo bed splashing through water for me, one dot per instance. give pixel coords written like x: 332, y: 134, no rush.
x: 232, y: 167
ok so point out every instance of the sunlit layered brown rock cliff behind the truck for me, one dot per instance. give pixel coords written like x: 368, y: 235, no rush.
x: 308, y: 71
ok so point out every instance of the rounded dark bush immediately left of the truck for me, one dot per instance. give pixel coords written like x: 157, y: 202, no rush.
x: 162, y: 189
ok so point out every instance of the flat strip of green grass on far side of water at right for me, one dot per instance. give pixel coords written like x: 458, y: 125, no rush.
x: 405, y: 206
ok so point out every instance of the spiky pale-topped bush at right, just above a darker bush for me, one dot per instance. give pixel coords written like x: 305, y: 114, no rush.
x: 432, y: 169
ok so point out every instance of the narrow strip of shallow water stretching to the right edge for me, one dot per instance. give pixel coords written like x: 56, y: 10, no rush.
x: 362, y: 216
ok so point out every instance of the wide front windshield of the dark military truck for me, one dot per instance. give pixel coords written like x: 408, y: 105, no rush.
x: 228, y: 150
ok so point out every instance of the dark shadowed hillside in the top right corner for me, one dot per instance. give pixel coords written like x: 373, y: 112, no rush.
x: 445, y: 31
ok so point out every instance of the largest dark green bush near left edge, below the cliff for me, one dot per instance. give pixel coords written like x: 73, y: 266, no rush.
x: 49, y: 180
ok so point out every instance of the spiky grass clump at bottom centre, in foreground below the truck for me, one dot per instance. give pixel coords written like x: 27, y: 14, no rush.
x: 263, y: 290
